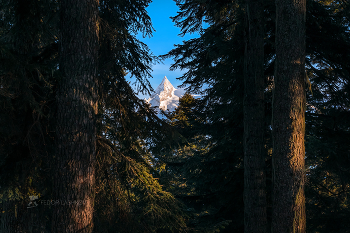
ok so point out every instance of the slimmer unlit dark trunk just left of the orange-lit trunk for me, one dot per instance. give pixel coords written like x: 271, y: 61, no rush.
x: 255, y: 218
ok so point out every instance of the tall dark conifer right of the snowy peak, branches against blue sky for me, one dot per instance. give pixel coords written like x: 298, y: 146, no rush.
x: 215, y: 59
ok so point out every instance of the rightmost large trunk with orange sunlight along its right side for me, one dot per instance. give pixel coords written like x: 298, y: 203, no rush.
x: 289, y: 118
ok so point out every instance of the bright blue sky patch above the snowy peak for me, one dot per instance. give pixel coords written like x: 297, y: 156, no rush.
x: 163, y: 40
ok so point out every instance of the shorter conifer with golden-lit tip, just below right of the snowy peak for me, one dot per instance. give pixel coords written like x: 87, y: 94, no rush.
x: 188, y: 170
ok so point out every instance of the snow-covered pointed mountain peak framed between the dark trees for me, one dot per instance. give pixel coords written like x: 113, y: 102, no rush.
x: 166, y: 97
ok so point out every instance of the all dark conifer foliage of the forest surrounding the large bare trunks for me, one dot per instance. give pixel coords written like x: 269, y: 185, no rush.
x: 183, y: 173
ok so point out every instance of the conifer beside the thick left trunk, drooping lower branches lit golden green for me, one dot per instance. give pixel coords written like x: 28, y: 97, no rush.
x: 128, y: 195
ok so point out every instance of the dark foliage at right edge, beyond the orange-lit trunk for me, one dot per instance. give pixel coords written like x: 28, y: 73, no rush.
x: 327, y: 123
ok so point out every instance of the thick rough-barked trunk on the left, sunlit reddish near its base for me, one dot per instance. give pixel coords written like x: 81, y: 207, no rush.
x: 77, y: 106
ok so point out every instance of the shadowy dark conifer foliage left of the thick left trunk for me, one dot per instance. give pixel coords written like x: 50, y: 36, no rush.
x: 28, y: 60
